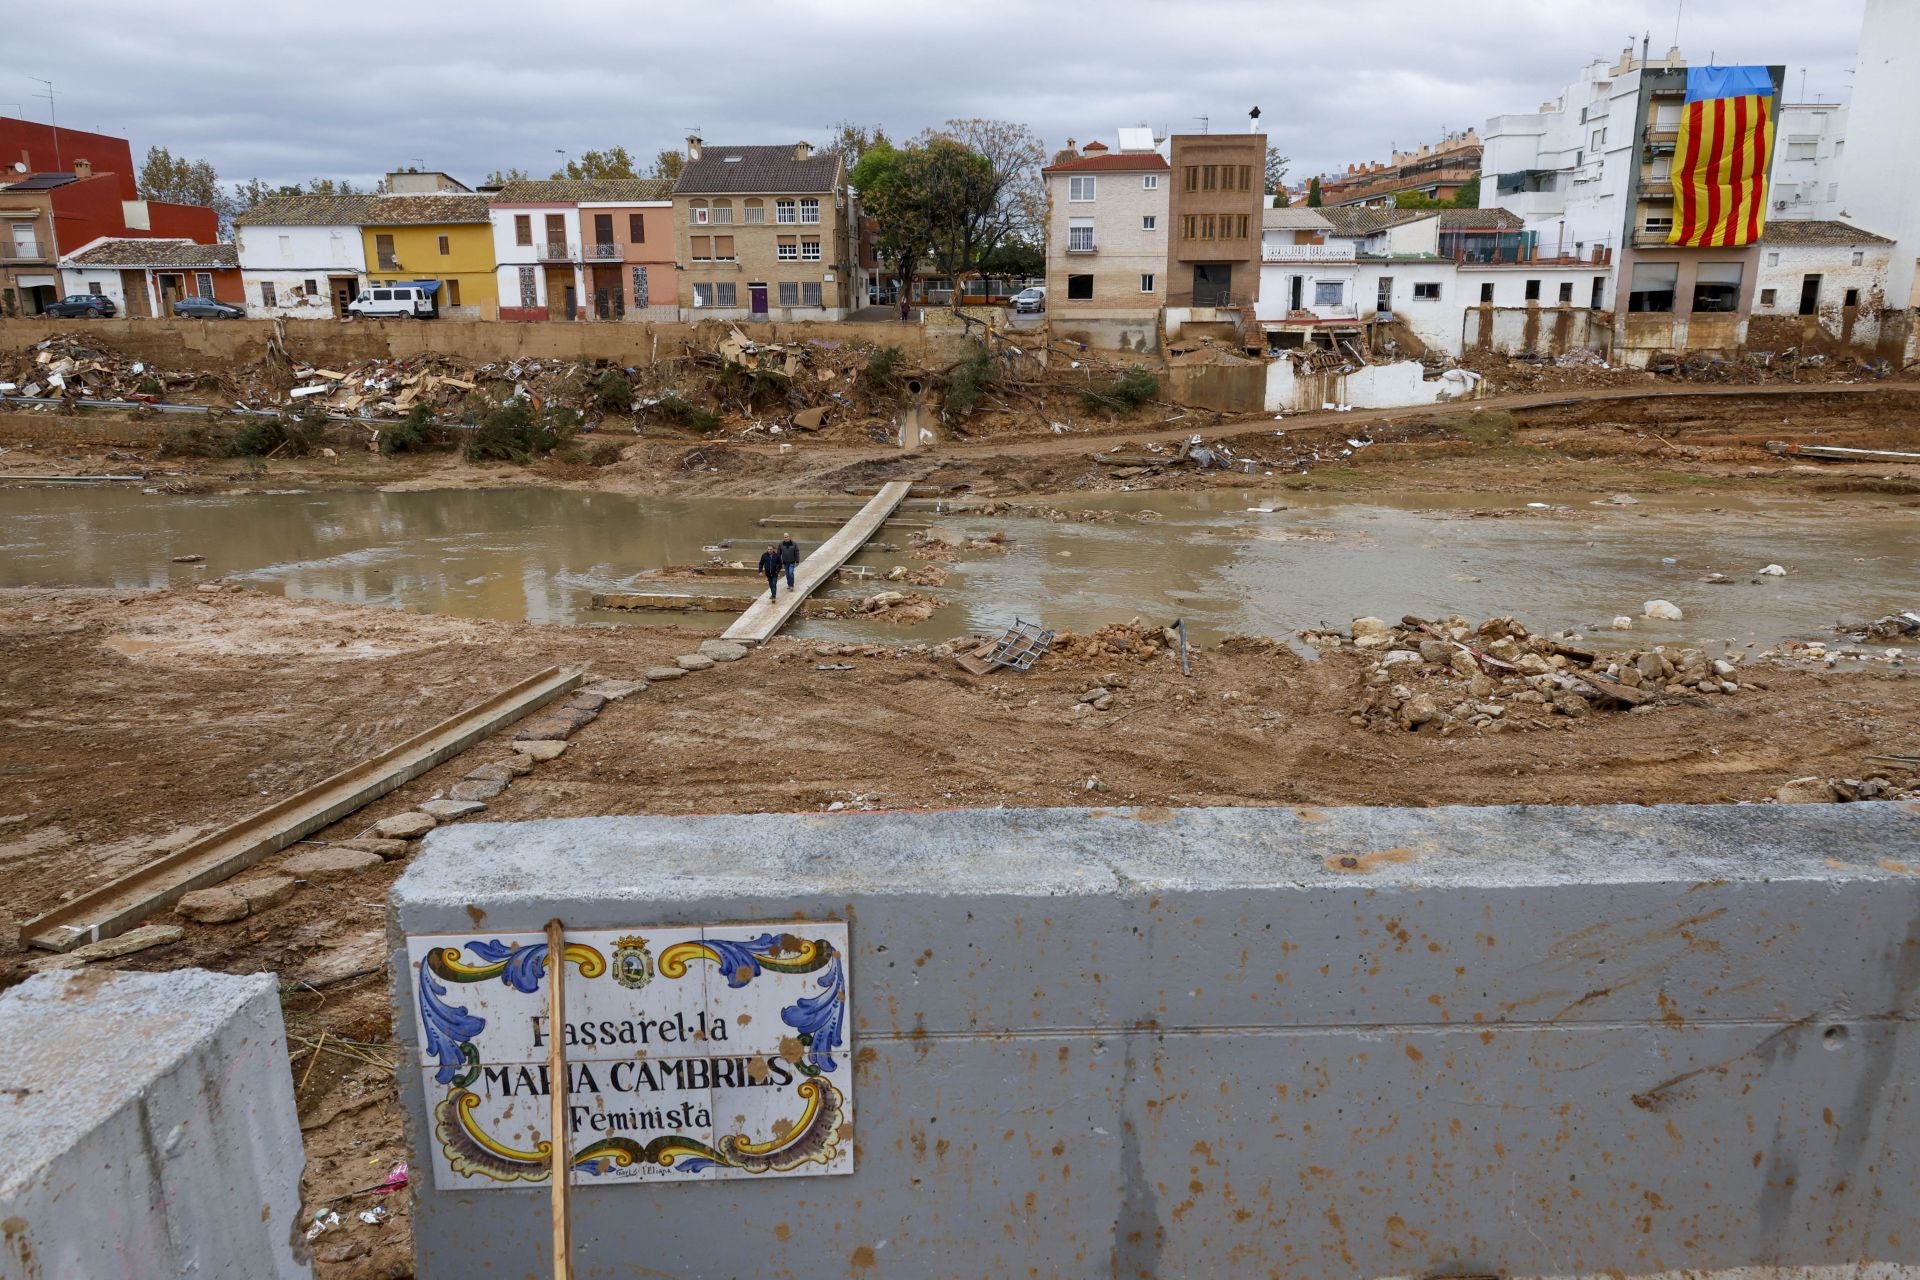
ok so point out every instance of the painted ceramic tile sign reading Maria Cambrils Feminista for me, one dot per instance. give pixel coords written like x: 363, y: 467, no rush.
x: 692, y: 1055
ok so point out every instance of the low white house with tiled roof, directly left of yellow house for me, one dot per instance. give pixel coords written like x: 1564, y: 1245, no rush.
x: 304, y: 256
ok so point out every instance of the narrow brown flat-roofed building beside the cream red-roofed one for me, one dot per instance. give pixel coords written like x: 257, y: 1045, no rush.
x: 1214, y: 229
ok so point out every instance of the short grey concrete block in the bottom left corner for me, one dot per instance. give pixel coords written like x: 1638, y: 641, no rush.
x: 149, y: 1129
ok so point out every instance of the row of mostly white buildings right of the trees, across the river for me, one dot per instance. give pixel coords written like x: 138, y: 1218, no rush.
x: 1572, y: 245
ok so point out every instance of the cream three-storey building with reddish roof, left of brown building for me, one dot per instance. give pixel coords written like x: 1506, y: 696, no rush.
x: 1107, y: 241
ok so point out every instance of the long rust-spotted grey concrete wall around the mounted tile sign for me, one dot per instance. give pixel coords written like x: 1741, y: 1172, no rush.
x: 1282, y: 1043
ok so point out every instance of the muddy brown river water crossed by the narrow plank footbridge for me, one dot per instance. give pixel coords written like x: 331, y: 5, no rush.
x: 1214, y: 559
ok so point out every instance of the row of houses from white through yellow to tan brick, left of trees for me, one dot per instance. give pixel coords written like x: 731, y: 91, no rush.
x: 744, y: 233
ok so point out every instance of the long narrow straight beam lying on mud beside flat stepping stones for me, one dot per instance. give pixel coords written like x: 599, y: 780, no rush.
x: 116, y: 907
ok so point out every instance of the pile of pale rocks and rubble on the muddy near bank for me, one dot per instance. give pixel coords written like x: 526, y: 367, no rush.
x: 1500, y: 678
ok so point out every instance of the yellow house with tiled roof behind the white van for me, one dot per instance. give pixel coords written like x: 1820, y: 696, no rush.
x: 446, y: 239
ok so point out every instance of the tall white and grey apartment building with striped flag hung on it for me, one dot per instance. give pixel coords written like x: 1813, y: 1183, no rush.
x: 1595, y: 174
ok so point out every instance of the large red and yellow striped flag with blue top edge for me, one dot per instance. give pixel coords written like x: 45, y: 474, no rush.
x: 1721, y: 158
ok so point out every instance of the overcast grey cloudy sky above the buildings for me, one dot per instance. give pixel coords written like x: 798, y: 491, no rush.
x: 350, y: 89
